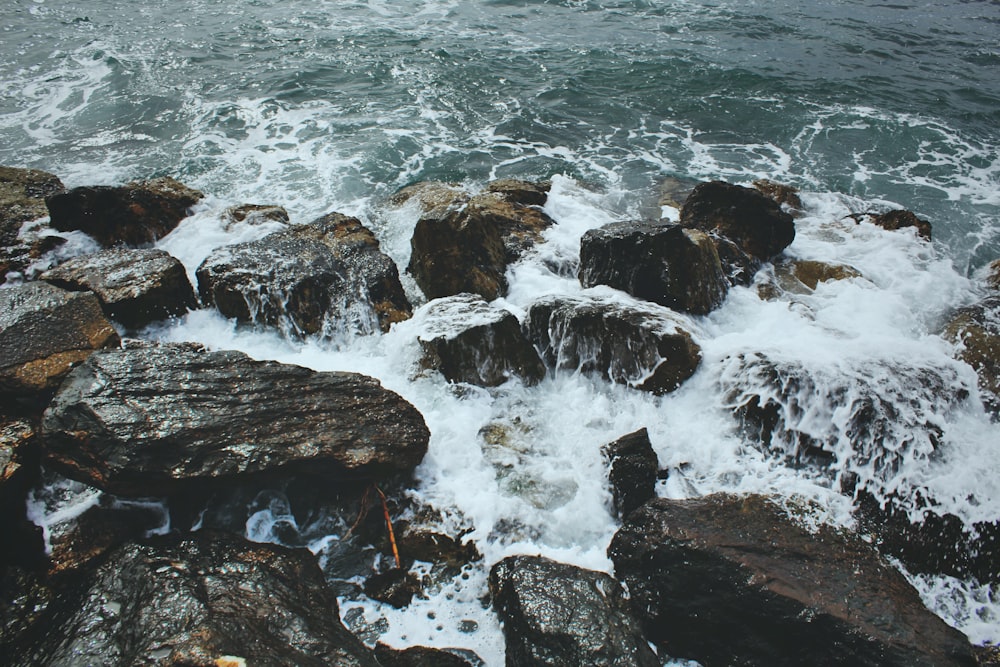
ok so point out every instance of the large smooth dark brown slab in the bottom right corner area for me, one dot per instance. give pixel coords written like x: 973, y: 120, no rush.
x: 732, y: 581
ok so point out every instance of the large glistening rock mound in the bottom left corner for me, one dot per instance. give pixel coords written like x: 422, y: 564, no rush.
x: 205, y: 601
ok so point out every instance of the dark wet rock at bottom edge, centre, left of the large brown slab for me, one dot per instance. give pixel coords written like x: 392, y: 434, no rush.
x: 556, y: 614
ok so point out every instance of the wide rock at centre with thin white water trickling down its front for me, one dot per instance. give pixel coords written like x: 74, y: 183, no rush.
x: 643, y: 347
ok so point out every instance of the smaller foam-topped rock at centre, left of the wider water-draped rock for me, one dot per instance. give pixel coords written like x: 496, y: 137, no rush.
x: 468, y: 340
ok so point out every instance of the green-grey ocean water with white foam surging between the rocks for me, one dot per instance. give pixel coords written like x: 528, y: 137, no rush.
x: 327, y: 106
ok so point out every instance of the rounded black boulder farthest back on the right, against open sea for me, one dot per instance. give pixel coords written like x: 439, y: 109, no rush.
x: 754, y: 222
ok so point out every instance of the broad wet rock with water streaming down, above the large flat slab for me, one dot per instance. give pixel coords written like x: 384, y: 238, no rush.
x: 319, y: 278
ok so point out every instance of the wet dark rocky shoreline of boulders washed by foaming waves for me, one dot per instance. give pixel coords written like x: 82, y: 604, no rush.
x: 722, y: 579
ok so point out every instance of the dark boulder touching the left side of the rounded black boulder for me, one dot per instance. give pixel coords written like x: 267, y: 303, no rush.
x: 663, y: 263
